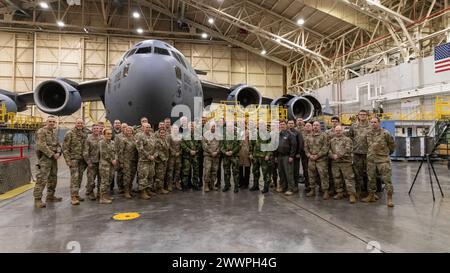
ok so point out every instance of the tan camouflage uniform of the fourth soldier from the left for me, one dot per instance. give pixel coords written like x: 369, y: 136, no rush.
x: 107, y: 151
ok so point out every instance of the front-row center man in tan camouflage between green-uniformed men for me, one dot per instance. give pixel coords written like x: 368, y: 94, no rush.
x: 211, y: 153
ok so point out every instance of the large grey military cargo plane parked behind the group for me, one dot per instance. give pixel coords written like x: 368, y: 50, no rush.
x: 150, y: 79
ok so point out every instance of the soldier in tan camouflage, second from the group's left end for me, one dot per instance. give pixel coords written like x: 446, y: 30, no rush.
x: 73, y: 146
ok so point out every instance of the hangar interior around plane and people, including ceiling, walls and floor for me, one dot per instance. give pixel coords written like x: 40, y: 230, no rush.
x: 378, y: 55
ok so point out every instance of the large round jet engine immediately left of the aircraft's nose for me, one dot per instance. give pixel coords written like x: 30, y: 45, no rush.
x: 57, y: 97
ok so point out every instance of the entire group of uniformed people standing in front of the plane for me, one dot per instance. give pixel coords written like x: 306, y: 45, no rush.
x: 174, y: 158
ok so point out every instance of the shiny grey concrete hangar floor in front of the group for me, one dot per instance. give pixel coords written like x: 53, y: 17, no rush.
x: 228, y: 222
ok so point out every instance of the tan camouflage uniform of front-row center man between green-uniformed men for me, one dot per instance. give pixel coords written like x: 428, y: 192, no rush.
x: 210, y: 162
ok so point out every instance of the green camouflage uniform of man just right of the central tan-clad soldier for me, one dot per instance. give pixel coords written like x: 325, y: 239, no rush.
x: 230, y: 163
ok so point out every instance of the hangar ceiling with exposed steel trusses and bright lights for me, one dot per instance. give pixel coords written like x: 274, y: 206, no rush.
x: 319, y: 41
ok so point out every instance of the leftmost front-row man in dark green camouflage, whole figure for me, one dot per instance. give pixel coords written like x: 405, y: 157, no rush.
x: 174, y: 164
